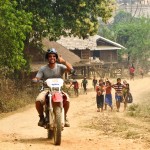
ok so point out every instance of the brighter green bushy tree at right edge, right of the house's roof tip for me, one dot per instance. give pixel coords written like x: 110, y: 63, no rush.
x: 135, y: 37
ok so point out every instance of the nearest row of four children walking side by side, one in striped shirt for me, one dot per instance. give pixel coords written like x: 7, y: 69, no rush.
x: 104, y: 94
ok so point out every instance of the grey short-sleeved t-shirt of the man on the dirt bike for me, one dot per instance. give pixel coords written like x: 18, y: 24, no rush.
x: 46, y: 72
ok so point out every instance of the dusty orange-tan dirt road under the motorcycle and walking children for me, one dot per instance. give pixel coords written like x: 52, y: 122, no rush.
x: 90, y: 130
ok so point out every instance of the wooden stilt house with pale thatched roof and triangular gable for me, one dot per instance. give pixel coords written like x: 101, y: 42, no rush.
x: 95, y: 52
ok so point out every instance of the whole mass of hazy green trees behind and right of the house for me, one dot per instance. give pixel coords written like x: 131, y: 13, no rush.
x: 132, y: 33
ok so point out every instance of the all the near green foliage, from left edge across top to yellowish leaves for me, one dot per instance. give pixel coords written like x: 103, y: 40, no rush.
x: 24, y: 22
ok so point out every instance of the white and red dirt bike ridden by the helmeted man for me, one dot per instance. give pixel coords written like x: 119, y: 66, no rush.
x: 54, y: 109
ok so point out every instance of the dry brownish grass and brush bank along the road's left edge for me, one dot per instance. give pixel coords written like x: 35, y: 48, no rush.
x: 13, y: 97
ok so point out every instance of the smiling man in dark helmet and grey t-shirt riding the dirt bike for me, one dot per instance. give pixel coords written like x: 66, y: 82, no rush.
x: 55, y: 68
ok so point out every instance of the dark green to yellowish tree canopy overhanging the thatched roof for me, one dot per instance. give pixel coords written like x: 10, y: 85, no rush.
x: 54, y: 18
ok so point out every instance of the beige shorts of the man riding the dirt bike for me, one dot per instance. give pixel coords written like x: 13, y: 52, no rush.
x: 42, y: 95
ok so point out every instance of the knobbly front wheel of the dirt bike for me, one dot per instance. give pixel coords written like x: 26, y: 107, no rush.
x: 57, y: 125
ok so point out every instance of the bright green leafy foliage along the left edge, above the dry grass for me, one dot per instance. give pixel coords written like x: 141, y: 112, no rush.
x: 14, y: 26
